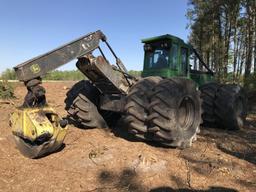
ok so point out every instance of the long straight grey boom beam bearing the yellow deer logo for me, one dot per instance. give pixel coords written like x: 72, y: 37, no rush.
x: 39, y: 66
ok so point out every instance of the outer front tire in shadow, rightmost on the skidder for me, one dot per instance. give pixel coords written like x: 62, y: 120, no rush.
x: 230, y: 107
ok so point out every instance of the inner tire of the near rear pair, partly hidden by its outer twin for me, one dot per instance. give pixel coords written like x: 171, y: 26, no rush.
x: 136, y: 107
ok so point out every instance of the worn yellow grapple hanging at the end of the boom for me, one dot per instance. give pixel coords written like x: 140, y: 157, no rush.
x: 37, y: 131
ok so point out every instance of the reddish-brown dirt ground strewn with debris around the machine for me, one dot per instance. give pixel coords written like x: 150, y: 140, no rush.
x: 111, y: 160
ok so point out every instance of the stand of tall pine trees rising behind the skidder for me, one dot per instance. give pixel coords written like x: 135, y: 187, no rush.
x: 224, y: 32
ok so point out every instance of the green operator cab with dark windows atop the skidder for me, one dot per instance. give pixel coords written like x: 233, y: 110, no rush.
x: 169, y: 56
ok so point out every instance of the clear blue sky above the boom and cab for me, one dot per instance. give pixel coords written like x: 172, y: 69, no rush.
x: 29, y: 28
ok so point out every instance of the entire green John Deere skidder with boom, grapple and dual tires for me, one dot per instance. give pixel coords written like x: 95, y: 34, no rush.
x: 164, y: 105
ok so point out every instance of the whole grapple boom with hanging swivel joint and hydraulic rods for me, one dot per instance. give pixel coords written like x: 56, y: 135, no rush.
x: 32, y: 71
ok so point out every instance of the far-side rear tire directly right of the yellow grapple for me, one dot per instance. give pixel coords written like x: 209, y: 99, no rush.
x: 82, y: 106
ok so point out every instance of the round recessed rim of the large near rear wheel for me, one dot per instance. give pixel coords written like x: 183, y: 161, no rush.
x: 186, y: 113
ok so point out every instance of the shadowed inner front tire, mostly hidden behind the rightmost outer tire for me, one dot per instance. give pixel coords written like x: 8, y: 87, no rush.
x: 208, y: 96
